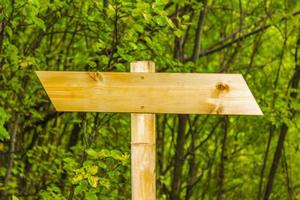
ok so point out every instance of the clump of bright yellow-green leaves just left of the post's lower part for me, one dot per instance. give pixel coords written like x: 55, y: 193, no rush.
x: 94, y: 177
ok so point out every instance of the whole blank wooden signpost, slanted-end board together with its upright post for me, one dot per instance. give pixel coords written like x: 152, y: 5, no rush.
x: 144, y: 93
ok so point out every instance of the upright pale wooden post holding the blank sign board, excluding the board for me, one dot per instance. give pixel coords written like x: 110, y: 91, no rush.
x: 143, y: 174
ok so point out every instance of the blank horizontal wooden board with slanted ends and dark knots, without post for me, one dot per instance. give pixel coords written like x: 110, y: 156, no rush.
x: 182, y: 93
